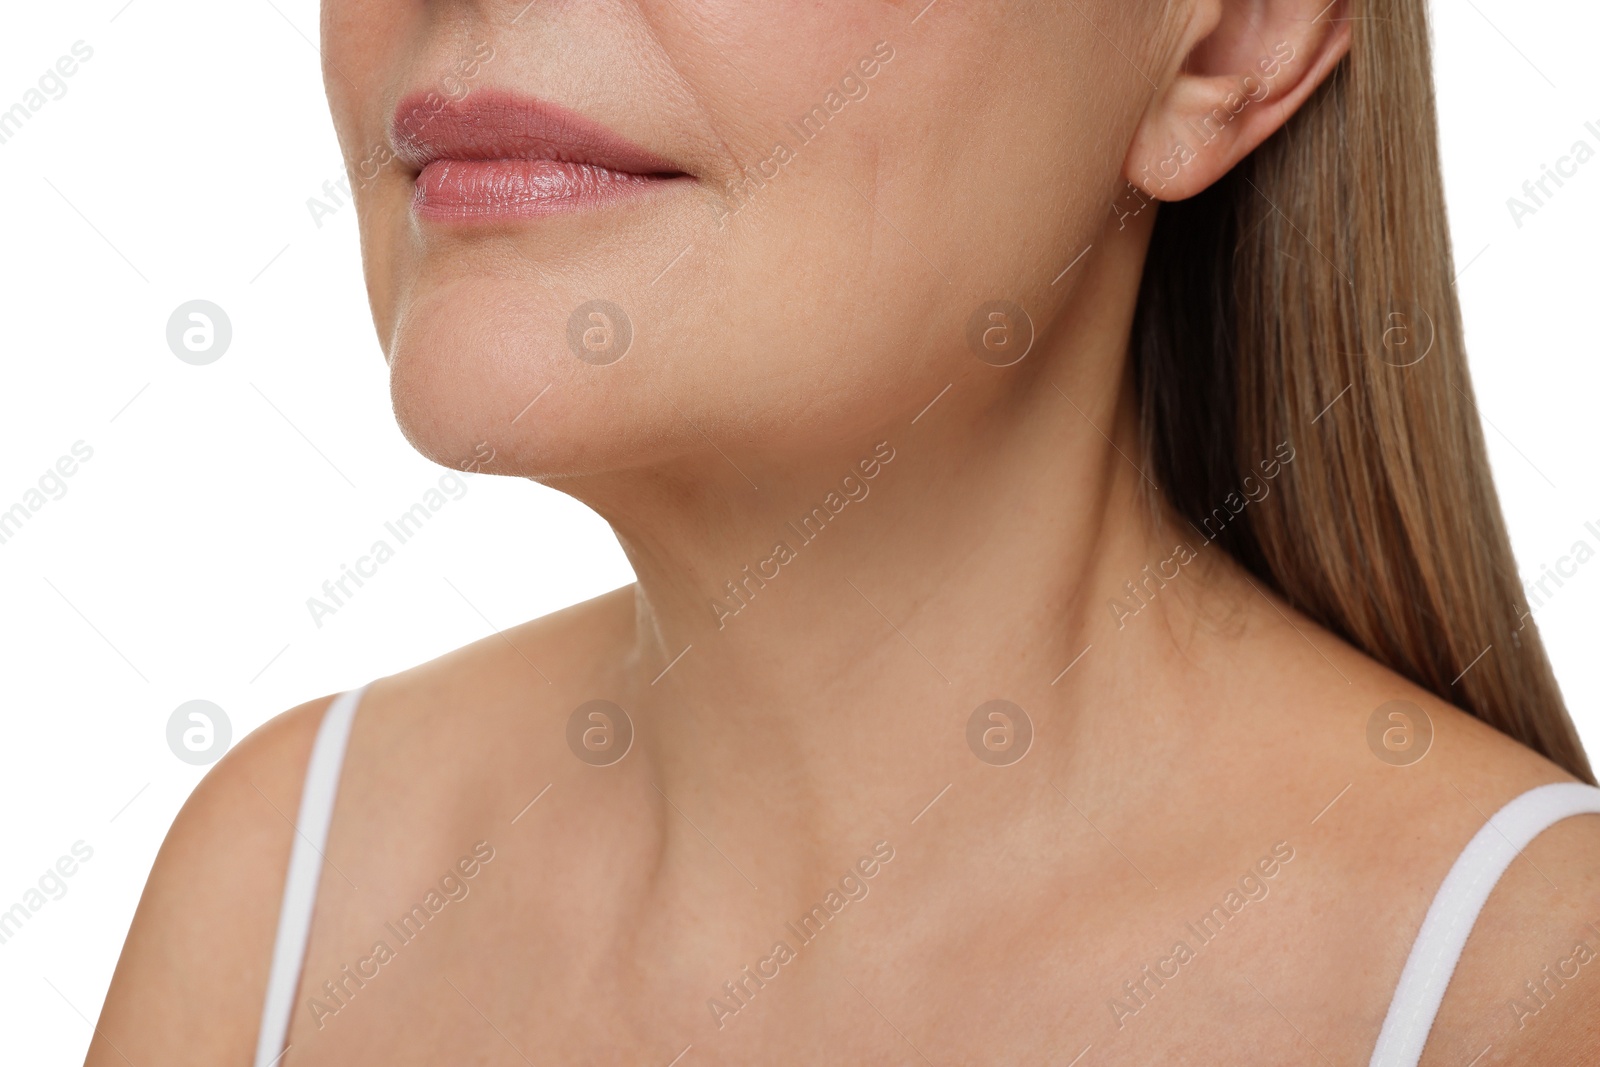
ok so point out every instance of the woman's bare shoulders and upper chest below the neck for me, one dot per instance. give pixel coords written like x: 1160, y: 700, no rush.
x: 1001, y: 930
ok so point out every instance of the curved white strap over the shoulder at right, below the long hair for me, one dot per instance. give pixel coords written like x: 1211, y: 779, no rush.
x: 1457, y: 906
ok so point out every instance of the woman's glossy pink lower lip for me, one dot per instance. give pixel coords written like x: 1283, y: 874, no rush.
x: 521, y: 190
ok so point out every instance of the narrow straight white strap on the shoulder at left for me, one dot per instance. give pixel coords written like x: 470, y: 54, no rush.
x: 300, y: 884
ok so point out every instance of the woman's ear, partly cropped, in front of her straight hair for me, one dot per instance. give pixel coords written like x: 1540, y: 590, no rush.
x: 1247, y: 66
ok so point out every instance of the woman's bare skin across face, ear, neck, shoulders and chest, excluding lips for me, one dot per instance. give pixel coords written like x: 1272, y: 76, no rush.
x: 1175, y: 751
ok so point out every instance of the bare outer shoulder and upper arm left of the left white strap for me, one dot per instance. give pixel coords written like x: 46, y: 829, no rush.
x: 210, y: 909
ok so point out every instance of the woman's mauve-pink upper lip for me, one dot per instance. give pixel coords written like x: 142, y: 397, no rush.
x: 498, y: 126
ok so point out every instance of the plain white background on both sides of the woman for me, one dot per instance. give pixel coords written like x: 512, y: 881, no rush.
x: 218, y: 498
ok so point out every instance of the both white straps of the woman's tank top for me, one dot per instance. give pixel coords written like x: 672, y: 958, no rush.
x: 1412, y: 1010
